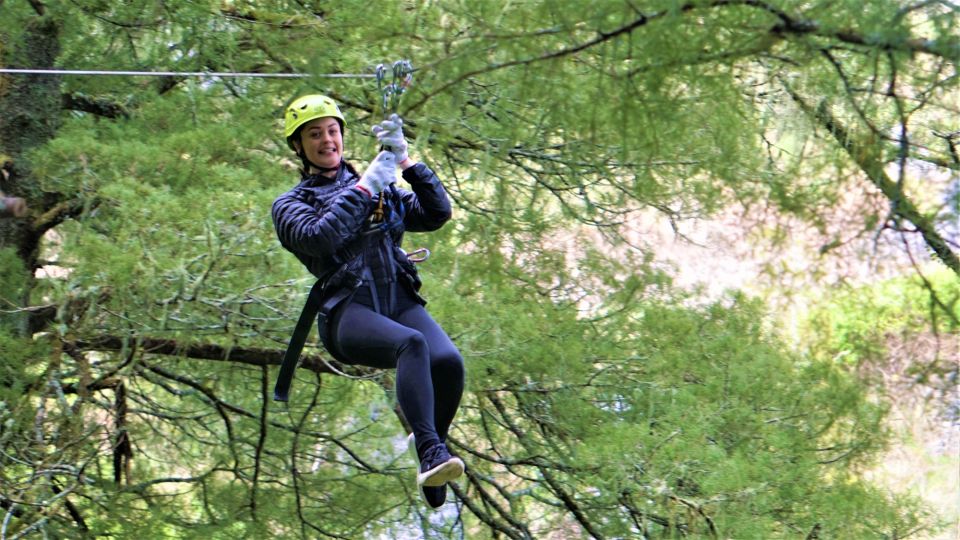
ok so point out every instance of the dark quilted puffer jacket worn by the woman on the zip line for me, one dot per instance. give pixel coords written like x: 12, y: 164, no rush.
x: 326, y: 224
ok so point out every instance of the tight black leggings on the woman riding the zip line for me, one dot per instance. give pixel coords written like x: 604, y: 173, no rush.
x: 430, y: 370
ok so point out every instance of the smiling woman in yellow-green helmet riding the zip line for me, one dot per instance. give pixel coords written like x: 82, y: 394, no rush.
x: 333, y: 221
